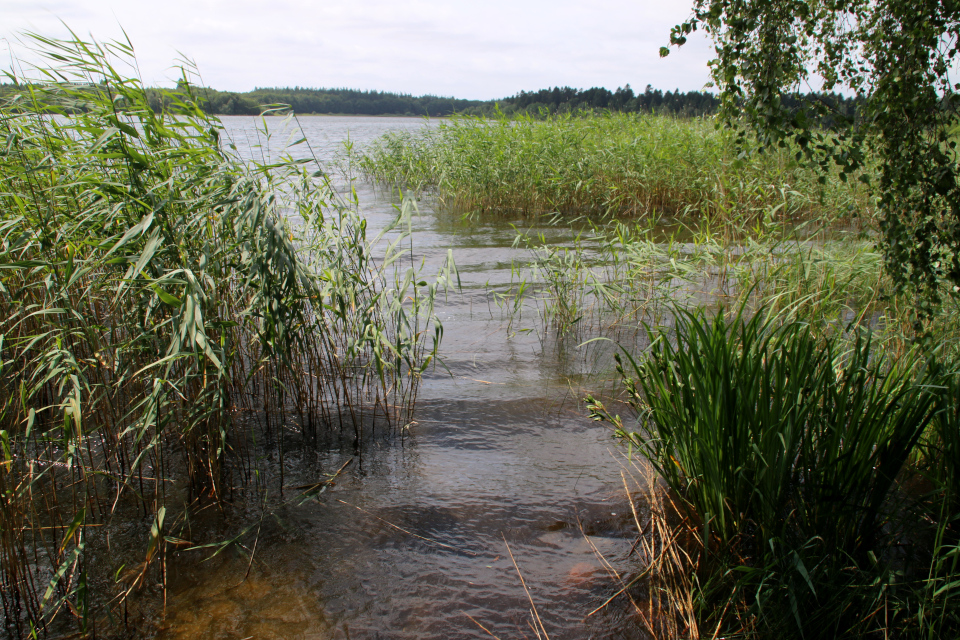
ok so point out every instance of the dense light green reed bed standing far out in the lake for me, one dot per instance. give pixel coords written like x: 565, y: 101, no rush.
x: 615, y: 164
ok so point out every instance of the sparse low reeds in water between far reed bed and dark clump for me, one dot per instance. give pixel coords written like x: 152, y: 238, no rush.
x: 616, y: 275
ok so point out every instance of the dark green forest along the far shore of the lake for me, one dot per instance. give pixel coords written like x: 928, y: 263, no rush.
x: 556, y: 100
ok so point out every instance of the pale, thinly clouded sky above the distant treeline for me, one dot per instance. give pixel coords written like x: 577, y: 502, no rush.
x: 484, y: 49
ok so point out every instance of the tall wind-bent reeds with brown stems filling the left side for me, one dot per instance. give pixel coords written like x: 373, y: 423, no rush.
x: 165, y: 310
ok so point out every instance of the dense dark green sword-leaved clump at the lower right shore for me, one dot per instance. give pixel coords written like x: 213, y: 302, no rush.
x: 790, y: 452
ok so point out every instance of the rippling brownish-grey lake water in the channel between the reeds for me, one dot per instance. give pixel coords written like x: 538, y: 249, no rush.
x: 412, y: 542
